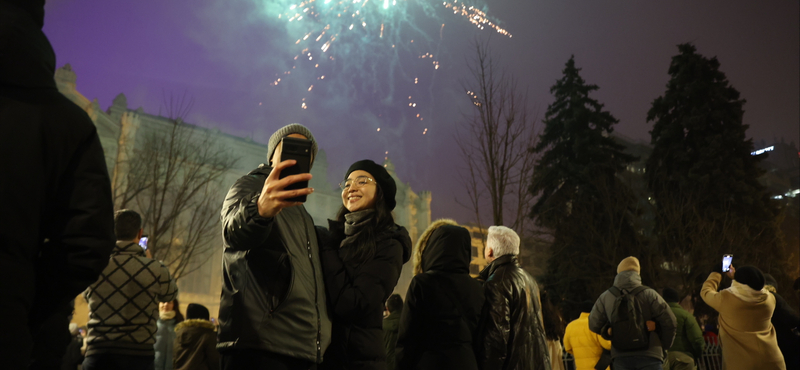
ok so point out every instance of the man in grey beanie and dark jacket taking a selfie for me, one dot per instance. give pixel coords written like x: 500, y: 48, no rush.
x: 273, y: 309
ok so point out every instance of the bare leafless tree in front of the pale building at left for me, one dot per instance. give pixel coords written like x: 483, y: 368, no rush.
x: 171, y: 174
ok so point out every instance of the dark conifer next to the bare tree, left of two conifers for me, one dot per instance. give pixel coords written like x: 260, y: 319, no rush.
x: 584, y: 205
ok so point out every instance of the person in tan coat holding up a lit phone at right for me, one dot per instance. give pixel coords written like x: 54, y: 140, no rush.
x: 746, y: 334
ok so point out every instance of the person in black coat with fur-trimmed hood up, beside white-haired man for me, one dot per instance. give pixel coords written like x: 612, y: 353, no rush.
x: 443, y: 304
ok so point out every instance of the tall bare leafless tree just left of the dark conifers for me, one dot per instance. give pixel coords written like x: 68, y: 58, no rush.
x: 499, y: 133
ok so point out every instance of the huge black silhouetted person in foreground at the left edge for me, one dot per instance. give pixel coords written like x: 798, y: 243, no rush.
x: 57, y: 223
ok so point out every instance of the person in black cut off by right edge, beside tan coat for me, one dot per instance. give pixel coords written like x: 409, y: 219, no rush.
x: 785, y: 320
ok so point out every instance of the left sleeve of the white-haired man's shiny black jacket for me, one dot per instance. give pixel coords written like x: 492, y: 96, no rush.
x: 498, y: 326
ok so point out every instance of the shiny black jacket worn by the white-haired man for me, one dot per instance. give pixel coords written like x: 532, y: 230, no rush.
x: 512, y: 331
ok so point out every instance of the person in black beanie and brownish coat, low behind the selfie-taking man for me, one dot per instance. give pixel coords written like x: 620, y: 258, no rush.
x: 195, y: 346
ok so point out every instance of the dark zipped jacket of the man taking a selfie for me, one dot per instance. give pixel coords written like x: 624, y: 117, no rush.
x: 273, y: 297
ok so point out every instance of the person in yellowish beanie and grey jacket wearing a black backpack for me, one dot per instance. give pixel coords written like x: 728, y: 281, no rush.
x: 654, y: 308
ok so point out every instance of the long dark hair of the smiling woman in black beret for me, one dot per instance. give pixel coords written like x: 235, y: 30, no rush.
x: 365, y: 242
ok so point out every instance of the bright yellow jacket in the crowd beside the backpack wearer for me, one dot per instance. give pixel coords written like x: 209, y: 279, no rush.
x: 583, y: 344
